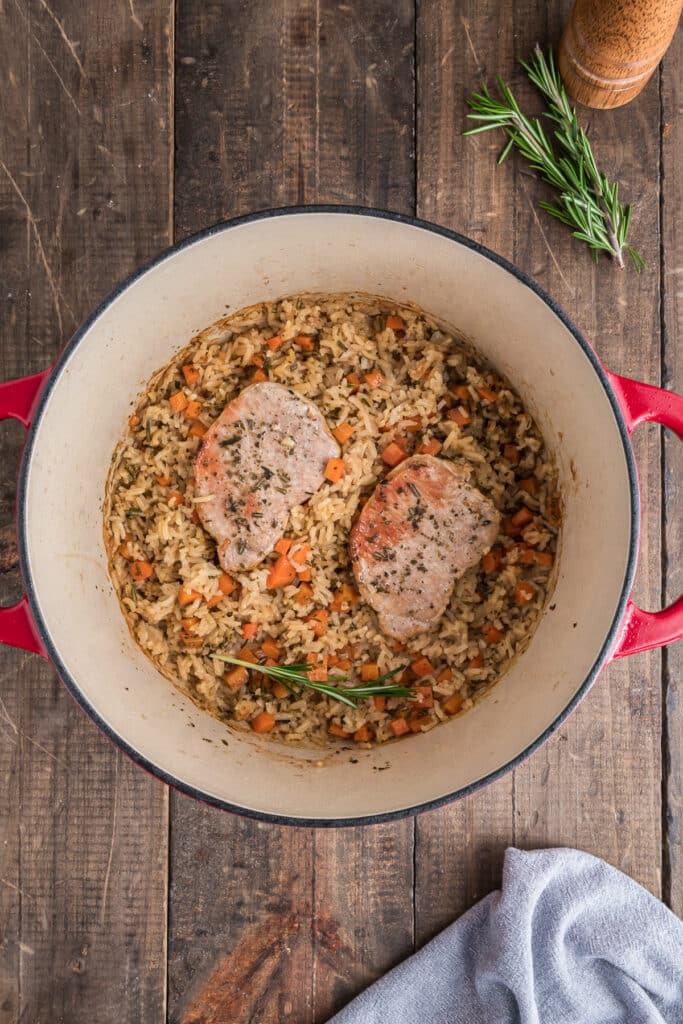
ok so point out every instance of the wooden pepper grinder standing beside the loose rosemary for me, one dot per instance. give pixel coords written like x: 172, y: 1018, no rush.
x: 611, y: 48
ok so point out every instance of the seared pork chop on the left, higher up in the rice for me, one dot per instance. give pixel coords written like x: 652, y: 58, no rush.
x: 265, y: 454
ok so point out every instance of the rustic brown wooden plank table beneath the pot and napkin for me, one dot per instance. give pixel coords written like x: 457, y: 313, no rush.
x: 127, y: 125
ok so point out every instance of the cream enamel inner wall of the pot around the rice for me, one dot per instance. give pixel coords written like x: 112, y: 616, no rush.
x: 86, y: 415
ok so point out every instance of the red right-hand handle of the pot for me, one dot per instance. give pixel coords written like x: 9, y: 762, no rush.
x: 641, y: 404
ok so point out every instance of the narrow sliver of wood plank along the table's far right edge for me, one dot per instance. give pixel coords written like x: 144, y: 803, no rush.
x: 672, y: 309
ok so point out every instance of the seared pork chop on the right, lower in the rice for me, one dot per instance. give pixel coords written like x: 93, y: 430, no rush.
x: 422, y: 529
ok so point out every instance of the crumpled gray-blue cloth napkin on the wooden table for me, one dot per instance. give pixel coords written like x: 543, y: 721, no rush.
x: 569, y: 941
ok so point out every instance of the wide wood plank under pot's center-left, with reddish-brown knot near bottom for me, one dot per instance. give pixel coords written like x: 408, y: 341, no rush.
x: 331, y: 121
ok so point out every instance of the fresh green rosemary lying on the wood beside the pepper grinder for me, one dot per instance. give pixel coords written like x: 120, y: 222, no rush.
x: 587, y: 202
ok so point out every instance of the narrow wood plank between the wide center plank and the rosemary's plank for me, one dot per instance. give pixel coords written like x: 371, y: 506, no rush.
x: 459, y: 849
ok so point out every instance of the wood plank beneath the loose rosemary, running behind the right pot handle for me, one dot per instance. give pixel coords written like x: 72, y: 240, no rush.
x: 597, y: 785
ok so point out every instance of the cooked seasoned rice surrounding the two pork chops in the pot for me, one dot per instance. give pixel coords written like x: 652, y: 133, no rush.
x: 421, y: 367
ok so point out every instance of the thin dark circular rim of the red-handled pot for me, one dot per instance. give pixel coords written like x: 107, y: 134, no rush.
x: 136, y: 754
